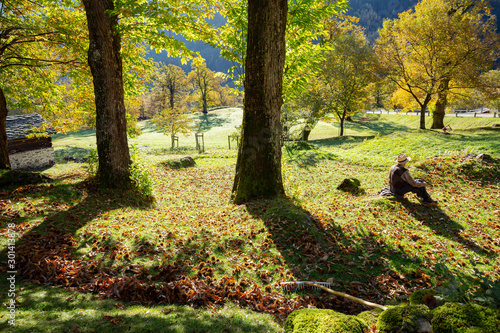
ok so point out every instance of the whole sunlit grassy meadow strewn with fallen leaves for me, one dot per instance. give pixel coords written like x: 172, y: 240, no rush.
x: 95, y: 261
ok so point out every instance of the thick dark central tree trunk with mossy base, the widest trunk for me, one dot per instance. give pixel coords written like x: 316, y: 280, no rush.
x: 258, y: 168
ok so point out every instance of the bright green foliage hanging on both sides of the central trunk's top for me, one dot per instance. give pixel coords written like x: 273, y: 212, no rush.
x: 305, y: 28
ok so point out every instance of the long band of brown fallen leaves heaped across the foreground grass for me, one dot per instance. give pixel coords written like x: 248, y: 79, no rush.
x: 46, y: 260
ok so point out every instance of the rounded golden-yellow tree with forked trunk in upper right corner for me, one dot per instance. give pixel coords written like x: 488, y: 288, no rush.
x: 427, y: 49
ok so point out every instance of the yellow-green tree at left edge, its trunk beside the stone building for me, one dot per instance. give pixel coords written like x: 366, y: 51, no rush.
x: 31, y: 35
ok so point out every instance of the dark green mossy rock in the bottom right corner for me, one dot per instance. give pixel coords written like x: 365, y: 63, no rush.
x: 465, y: 318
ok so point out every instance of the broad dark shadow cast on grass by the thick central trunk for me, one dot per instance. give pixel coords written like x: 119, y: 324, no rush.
x: 315, y: 248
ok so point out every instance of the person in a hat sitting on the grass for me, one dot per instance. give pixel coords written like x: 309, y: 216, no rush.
x: 401, y: 182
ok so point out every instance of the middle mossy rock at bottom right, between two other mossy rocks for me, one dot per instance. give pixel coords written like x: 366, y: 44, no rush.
x: 405, y: 319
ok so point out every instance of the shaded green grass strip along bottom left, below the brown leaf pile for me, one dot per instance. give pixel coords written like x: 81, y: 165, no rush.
x: 50, y: 309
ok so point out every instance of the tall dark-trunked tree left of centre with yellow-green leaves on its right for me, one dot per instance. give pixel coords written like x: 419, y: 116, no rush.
x: 152, y: 21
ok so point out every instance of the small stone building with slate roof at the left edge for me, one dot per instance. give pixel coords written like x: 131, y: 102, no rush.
x: 29, y: 153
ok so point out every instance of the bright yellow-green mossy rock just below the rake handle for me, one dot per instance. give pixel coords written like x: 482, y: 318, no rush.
x: 323, y: 321
